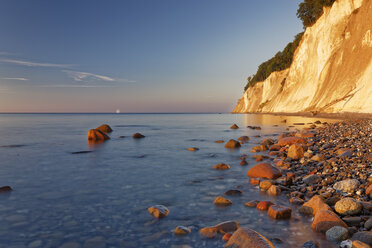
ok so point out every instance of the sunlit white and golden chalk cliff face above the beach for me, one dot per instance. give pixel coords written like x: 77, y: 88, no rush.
x: 331, y: 71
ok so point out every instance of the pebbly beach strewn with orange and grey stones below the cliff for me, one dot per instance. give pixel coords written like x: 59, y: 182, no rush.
x: 327, y: 169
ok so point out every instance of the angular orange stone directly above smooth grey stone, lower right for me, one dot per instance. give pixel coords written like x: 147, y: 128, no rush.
x: 325, y: 219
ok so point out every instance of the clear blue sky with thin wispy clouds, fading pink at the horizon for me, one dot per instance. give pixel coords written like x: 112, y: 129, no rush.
x: 136, y: 55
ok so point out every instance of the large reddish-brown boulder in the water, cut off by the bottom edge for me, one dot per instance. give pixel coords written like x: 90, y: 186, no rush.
x: 246, y: 237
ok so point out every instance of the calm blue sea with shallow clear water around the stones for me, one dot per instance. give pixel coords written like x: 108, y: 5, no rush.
x: 61, y: 195
